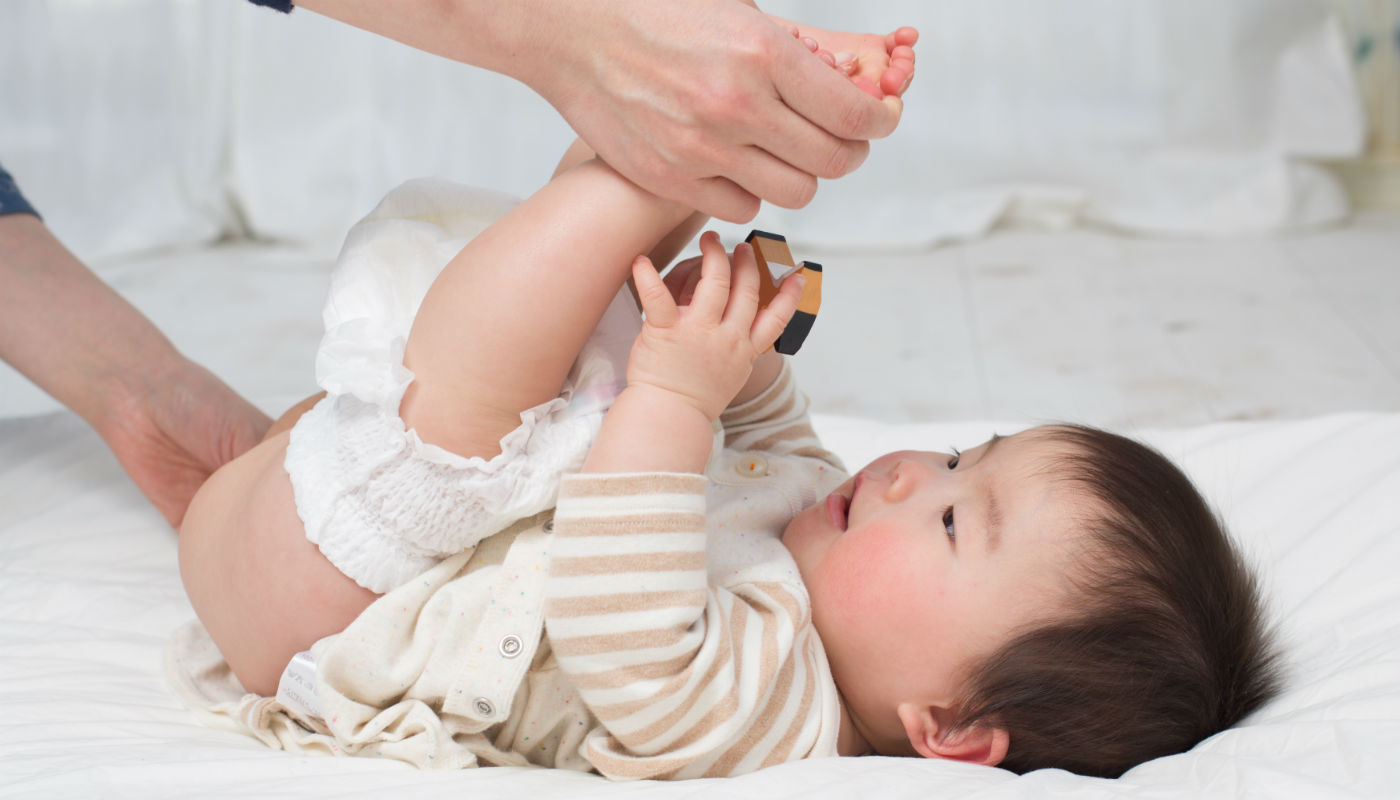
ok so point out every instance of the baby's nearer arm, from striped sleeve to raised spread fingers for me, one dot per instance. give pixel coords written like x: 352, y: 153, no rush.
x: 670, y: 663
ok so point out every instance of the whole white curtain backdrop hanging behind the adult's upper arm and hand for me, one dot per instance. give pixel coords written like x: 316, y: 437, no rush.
x: 139, y: 124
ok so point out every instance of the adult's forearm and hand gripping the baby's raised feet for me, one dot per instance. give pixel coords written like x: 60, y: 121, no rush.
x: 708, y: 103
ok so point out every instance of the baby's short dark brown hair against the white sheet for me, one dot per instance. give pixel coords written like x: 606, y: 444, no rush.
x: 1167, y: 644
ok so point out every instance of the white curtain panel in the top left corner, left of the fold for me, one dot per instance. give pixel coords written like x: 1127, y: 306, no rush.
x: 114, y: 118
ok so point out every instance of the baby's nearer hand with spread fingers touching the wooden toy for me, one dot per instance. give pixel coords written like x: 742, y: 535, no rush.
x: 702, y: 352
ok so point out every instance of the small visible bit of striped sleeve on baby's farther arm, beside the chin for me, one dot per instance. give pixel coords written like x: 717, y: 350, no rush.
x: 776, y: 422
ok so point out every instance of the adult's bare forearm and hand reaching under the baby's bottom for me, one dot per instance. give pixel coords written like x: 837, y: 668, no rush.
x: 169, y: 421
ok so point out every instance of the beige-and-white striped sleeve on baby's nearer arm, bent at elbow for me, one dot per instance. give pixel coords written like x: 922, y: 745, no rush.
x: 688, y: 679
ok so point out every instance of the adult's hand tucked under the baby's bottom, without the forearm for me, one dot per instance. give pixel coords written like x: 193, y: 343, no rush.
x: 173, y: 432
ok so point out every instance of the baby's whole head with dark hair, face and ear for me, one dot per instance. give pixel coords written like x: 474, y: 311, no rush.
x: 1062, y: 598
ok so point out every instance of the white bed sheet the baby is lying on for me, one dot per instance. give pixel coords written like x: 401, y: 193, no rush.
x: 90, y: 592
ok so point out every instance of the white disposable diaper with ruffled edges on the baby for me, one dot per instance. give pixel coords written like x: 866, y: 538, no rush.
x: 381, y: 504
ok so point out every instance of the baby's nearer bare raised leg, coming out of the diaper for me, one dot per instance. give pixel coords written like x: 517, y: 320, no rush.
x: 502, y: 326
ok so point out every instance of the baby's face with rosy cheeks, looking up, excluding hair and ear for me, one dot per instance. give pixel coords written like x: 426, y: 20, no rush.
x: 926, y: 563
